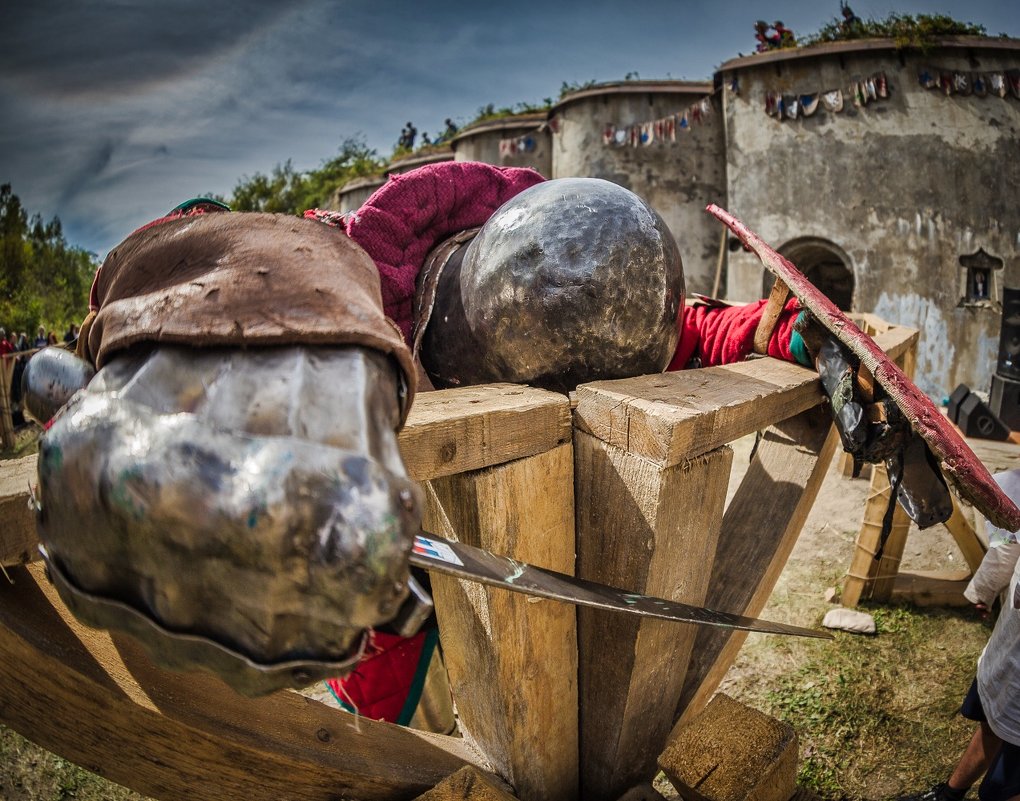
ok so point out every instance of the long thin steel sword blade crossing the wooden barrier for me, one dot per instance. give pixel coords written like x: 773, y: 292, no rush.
x: 475, y: 565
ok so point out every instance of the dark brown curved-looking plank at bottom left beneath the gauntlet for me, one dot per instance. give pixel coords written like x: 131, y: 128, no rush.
x: 99, y: 702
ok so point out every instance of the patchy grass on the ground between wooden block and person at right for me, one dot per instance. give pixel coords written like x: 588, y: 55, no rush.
x: 878, y: 717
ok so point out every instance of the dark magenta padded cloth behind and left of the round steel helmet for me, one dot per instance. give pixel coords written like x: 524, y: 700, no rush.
x: 414, y: 213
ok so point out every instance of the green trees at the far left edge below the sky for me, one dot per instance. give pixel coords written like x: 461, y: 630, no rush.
x: 44, y: 281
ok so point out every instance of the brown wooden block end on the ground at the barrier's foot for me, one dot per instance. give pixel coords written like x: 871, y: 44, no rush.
x: 732, y: 753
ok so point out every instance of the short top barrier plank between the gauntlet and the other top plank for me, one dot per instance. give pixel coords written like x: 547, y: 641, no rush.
x: 455, y: 431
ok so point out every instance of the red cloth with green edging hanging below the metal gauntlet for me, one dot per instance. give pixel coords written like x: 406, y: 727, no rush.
x: 380, y: 686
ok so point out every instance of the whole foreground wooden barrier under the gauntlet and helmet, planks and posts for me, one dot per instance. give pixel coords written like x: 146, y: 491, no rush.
x: 560, y: 705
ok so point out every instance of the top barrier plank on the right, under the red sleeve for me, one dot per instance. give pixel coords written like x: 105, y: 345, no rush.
x: 674, y: 417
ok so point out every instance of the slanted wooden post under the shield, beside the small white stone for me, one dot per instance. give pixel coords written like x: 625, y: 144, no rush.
x: 865, y: 572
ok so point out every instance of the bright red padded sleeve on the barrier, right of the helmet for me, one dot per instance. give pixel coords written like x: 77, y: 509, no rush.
x: 723, y: 335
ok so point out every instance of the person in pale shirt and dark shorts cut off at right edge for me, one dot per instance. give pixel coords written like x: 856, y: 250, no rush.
x: 994, y: 699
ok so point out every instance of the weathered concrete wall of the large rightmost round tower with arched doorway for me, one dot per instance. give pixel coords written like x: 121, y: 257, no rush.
x: 901, y: 187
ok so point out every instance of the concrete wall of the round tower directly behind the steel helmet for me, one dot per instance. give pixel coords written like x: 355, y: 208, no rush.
x: 678, y: 179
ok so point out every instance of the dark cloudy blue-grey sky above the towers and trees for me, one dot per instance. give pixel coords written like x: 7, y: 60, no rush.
x: 113, y: 112
